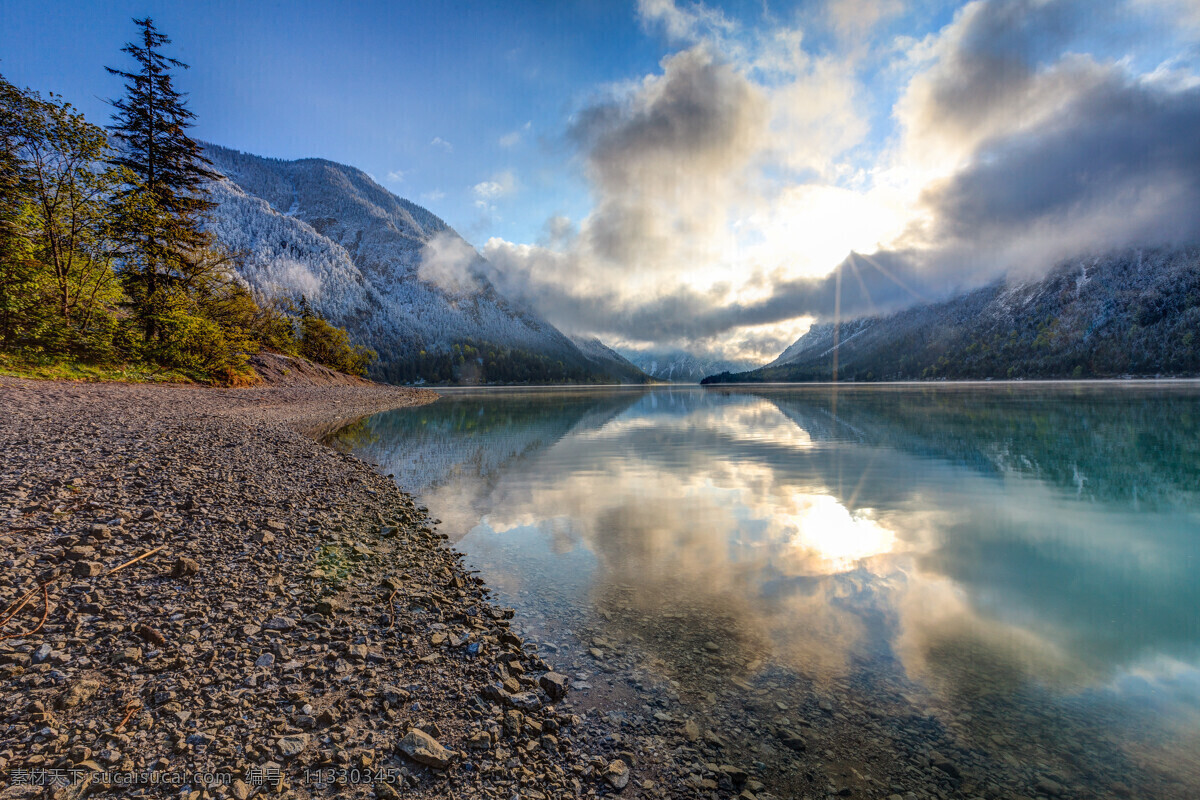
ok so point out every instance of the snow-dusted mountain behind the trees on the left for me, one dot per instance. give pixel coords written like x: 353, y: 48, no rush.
x: 361, y: 256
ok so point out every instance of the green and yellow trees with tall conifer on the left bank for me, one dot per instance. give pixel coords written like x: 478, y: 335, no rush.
x: 104, y: 252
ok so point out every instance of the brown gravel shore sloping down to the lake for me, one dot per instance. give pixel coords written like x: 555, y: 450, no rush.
x: 201, y: 601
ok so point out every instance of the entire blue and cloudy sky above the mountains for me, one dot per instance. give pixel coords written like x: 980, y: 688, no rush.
x: 711, y: 177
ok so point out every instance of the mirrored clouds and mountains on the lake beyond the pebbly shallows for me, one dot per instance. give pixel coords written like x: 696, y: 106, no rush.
x: 991, y: 549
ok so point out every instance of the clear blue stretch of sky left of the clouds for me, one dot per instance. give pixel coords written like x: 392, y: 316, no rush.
x: 371, y: 85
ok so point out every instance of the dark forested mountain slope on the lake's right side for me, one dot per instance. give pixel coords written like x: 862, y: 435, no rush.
x: 1130, y: 314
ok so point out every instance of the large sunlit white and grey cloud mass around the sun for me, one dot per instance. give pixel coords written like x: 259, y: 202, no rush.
x: 730, y: 185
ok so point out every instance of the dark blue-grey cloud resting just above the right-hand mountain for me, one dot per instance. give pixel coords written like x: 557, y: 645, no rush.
x: 1121, y: 145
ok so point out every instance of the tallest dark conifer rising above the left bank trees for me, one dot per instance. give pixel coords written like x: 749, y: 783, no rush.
x: 163, y: 210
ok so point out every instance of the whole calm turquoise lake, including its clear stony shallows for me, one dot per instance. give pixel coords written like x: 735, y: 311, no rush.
x: 953, y: 591
